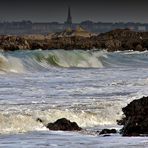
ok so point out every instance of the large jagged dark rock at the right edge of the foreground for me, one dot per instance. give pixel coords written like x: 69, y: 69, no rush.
x: 136, y: 118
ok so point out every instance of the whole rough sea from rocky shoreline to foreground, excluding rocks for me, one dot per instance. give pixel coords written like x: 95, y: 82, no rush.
x: 86, y: 87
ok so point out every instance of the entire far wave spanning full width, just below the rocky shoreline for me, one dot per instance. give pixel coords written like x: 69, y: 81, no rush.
x: 23, y: 61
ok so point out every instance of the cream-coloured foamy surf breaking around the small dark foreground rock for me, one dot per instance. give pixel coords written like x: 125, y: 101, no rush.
x: 19, y: 121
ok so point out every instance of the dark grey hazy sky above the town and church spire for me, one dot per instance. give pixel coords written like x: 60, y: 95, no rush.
x: 56, y: 10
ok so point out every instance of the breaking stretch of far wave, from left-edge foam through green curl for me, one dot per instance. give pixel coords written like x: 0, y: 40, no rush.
x: 22, y: 61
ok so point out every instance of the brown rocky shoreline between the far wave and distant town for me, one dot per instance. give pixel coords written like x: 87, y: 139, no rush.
x: 116, y: 40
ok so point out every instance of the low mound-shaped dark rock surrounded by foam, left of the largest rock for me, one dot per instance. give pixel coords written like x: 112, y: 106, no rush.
x: 64, y: 125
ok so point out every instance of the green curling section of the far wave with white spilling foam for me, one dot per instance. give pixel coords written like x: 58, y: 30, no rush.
x: 62, y: 58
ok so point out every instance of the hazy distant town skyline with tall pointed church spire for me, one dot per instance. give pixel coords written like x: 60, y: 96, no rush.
x: 28, y: 27
